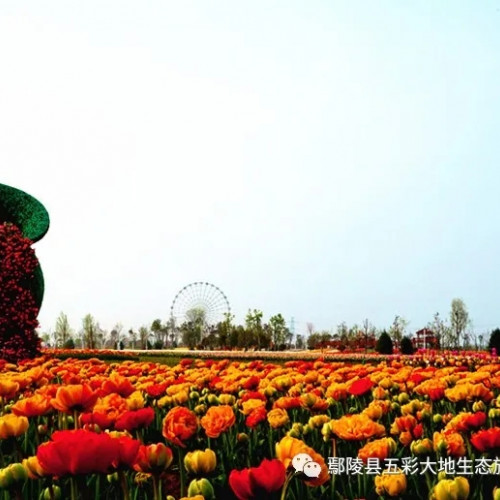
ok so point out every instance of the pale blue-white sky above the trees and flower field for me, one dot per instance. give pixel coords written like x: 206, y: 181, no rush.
x: 330, y: 161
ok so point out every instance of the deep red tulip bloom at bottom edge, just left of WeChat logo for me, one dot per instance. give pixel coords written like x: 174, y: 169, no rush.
x: 258, y: 482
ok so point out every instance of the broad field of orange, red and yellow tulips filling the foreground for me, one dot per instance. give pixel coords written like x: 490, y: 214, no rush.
x: 425, y: 427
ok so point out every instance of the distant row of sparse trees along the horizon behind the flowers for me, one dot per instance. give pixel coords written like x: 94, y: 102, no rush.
x: 454, y: 332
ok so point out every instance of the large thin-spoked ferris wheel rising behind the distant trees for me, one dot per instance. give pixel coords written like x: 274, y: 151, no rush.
x: 199, y: 301
